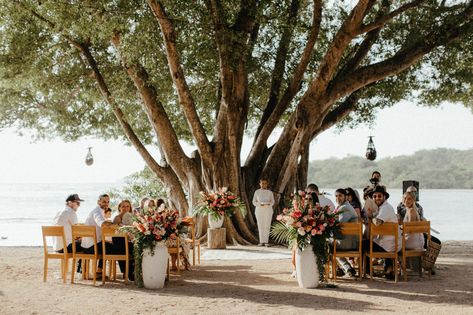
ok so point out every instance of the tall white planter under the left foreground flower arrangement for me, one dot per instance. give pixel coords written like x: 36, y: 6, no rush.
x: 154, y: 267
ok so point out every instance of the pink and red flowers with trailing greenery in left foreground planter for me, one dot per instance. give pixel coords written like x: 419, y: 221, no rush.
x: 150, y: 228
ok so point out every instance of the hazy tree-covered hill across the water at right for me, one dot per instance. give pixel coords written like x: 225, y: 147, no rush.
x: 435, y: 169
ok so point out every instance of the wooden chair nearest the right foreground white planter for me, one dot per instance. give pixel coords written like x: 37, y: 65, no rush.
x: 355, y: 228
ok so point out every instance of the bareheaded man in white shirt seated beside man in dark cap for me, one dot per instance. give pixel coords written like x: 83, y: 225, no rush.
x: 96, y: 218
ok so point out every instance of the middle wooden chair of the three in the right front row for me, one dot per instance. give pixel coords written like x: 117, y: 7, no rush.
x: 387, y: 228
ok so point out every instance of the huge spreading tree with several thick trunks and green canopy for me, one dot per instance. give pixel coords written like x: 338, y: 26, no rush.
x: 210, y: 72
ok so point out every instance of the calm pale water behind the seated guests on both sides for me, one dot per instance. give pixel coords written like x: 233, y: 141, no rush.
x: 24, y: 208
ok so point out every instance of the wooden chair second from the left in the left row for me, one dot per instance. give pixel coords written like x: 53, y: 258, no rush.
x: 82, y: 231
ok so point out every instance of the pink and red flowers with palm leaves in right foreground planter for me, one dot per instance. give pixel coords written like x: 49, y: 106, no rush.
x: 304, y: 224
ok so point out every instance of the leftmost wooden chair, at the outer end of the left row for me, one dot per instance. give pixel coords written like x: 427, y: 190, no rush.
x: 55, y: 231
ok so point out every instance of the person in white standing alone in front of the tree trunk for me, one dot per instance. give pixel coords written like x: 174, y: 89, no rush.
x: 263, y: 200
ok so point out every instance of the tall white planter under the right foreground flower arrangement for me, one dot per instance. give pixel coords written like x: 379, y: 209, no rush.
x: 306, y: 268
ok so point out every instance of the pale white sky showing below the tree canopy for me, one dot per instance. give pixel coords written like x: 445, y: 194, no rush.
x: 400, y: 130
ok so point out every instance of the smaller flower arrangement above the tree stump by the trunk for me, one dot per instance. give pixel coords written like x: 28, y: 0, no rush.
x: 218, y: 203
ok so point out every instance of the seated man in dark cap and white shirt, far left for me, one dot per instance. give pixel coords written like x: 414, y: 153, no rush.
x: 67, y: 218
